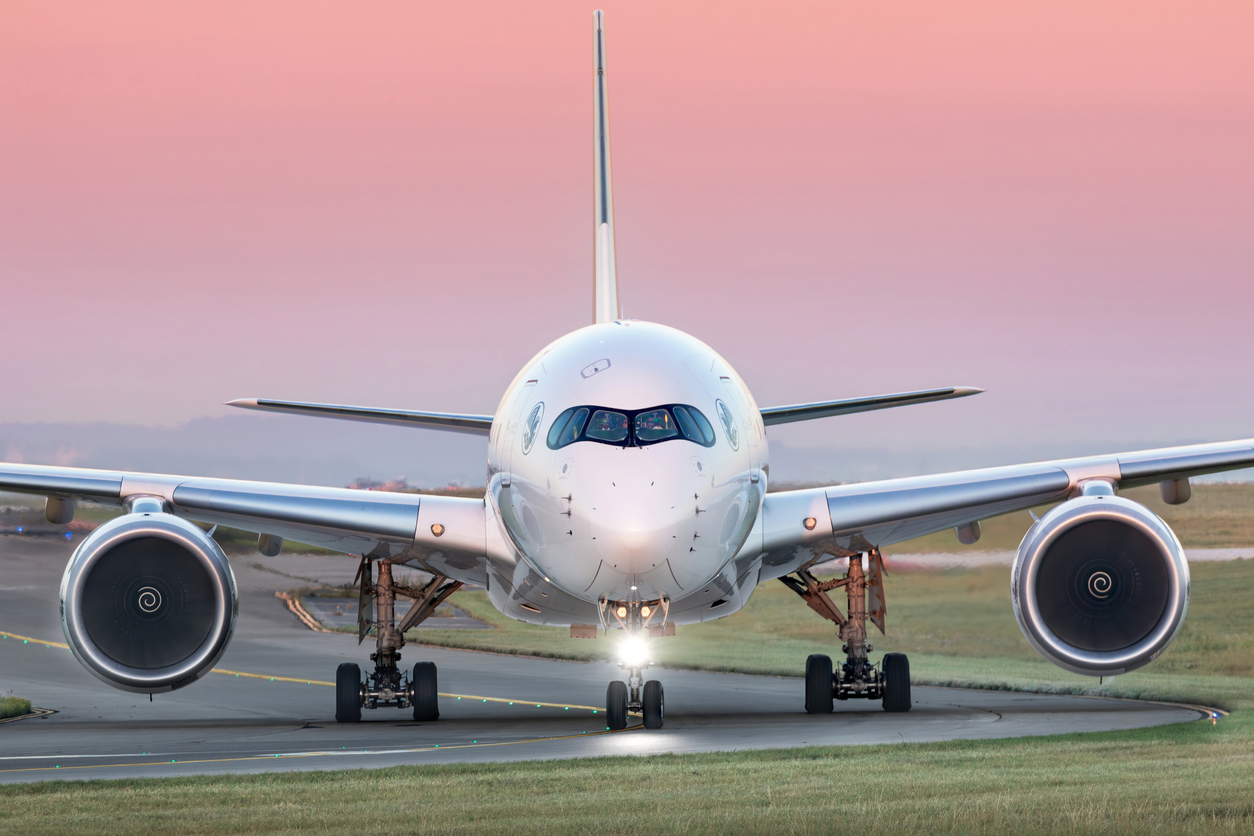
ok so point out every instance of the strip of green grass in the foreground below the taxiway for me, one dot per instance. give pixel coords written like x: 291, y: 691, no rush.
x: 1187, y: 779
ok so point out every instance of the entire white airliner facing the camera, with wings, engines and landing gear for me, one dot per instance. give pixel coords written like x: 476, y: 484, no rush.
x: 626, y: 492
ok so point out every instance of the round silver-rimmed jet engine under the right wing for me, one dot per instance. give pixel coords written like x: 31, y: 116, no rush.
x: 1100, y: 586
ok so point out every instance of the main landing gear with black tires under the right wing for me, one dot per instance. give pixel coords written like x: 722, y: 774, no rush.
x: 858, y: 677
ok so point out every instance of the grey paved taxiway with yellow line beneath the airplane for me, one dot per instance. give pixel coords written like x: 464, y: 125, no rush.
x: 270, y: 706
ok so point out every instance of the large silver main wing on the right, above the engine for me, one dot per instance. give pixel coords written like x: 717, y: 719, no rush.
x: 848, y: 520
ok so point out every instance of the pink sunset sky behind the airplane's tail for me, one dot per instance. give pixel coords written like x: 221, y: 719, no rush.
x: 391, y: 205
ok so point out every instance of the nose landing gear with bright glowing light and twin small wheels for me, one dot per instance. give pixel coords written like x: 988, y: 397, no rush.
x: 648, y: 698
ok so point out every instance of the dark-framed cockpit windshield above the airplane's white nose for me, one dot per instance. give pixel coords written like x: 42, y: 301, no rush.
x: 631, y: 428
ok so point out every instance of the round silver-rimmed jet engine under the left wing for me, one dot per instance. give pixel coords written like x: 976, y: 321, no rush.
x: 149, y: 603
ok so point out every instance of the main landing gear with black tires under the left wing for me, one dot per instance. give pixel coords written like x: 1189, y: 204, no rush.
x: 388, y: 685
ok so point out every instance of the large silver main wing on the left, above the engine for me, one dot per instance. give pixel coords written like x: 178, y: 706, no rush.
x: 354, y: 522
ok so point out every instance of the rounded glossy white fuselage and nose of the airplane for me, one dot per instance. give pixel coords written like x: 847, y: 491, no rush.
x: 630, y: 520
